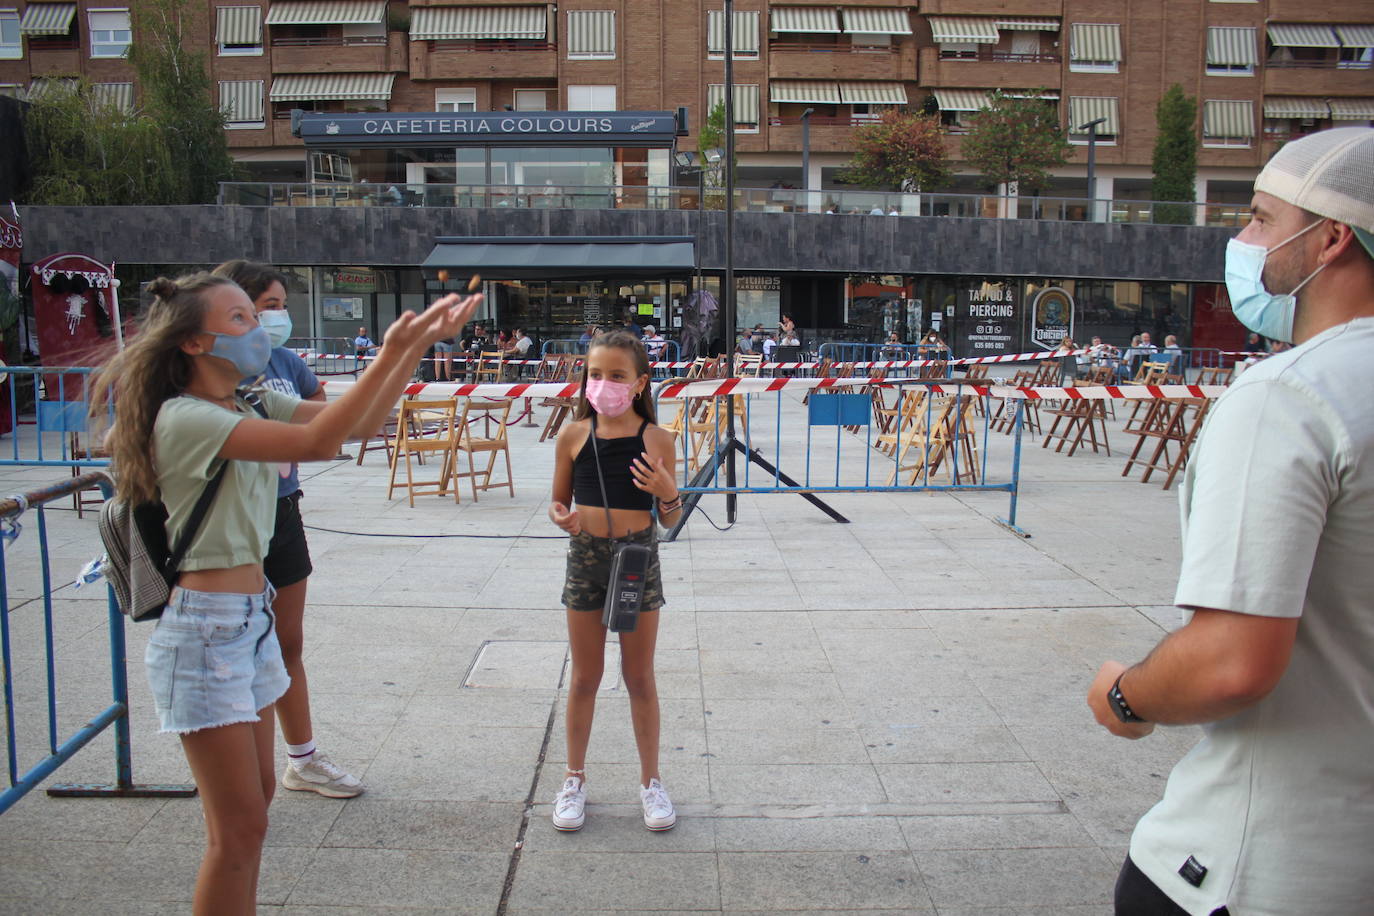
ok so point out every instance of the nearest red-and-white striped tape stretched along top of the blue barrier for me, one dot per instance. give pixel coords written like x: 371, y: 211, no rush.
x: 719, y: 388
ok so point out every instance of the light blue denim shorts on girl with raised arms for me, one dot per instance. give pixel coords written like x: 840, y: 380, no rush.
x: 214, y: 660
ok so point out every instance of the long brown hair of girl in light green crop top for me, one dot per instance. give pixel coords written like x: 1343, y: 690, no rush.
x: 152, y: 370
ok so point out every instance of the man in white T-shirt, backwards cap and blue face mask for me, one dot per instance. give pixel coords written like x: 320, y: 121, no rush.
x: 1273, y: 811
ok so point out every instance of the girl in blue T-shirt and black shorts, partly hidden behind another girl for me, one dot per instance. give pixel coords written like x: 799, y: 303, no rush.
x: 288, y: 564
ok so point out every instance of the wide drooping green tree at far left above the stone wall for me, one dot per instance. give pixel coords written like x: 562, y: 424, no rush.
x: 87, y: 153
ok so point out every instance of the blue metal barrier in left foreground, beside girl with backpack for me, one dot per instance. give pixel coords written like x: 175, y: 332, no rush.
x: 116, y: 715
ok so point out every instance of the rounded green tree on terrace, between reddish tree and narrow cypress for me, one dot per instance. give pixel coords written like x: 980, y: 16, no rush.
x: 1016, y: 141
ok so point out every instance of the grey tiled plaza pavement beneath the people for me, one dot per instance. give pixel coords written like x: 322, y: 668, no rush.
x: 880, y: 716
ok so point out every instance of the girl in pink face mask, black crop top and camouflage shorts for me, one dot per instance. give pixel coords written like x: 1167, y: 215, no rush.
x: 638, y: 469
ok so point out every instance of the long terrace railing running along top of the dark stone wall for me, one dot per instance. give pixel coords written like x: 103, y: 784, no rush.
x: 747, y: 200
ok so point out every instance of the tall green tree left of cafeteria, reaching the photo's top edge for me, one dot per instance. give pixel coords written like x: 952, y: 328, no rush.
x: 178, y: 97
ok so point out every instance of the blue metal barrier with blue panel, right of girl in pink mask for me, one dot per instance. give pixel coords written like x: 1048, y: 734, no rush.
x: 927, y: 429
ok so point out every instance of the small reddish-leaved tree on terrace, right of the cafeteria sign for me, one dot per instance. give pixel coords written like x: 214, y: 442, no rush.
x: 899, y: 150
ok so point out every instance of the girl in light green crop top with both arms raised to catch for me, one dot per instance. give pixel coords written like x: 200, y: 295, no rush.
x: 214, y: 661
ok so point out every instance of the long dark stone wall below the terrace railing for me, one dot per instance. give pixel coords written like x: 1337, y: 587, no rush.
x: 765, y: 242
